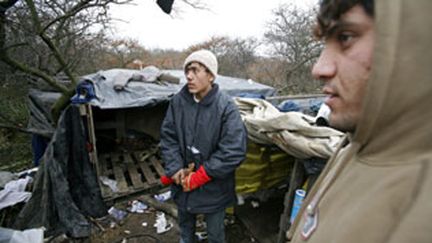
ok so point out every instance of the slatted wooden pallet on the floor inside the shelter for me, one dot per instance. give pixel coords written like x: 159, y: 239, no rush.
x: 134, y: 172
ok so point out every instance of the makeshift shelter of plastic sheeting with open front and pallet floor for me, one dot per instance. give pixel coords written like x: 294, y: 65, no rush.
x: 111, y: 130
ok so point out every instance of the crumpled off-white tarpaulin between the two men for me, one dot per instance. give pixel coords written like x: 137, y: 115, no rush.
x: 294, y: 132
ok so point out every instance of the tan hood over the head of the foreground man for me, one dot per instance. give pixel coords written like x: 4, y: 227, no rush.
x: 396, y: 120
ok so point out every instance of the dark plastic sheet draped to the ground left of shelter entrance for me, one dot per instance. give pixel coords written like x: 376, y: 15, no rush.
x: 66, y: 189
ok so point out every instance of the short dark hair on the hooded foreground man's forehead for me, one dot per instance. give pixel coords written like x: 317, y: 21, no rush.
x: 332, y: 10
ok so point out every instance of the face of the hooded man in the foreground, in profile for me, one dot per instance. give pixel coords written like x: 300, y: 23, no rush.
x: 344, y: 66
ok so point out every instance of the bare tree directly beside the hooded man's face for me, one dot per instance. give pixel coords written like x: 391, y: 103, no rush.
x: 290, y: 40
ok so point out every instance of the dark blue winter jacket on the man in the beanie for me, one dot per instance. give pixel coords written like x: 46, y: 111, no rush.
x: 209, y: 133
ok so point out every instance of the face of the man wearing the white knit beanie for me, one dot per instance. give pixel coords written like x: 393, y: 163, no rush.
x: 199, y: 81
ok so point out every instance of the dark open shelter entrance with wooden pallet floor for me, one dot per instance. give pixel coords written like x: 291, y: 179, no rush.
x: 125, y: 149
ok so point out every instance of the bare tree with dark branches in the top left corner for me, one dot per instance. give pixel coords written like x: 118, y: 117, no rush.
x: 44, y: 38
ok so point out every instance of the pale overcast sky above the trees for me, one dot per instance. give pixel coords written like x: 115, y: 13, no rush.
x: 146, y: 22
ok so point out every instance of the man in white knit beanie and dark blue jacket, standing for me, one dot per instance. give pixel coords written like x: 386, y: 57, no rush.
x: 203, y: 141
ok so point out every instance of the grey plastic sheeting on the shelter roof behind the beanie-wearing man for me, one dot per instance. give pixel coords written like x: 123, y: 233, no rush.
x: 142, y: 94
